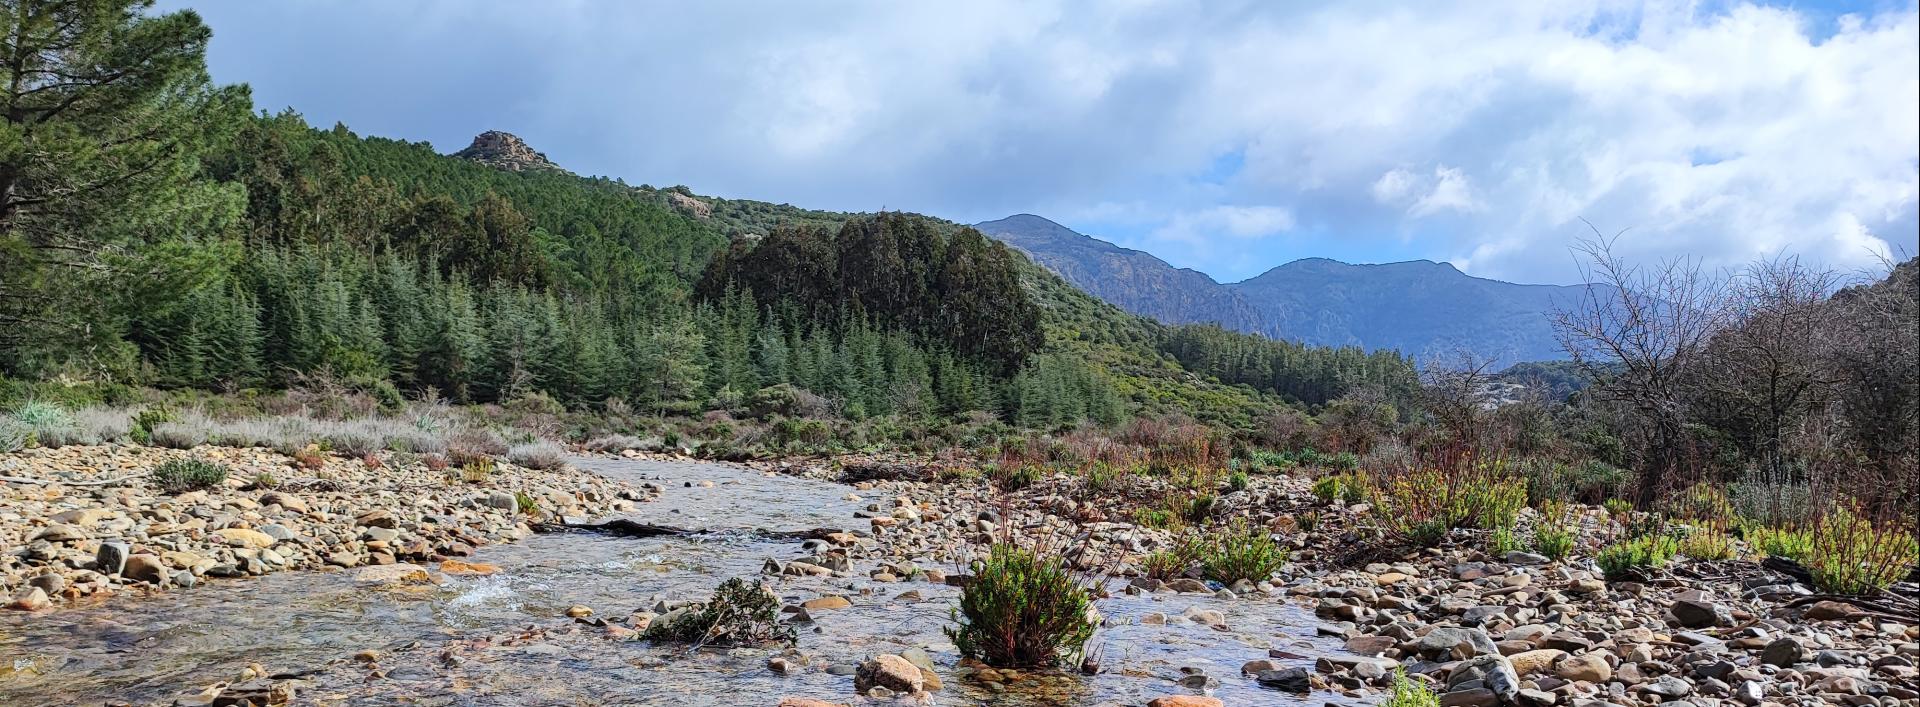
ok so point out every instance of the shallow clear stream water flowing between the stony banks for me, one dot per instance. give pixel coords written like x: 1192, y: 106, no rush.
x: 473, y: 641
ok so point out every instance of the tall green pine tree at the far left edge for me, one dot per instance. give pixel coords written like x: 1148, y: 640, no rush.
x: 107, y: 110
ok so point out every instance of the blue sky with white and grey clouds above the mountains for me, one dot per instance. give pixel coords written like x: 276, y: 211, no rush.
x: 1228, y: 137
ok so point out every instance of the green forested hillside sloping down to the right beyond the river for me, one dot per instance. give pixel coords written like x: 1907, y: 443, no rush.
x: 498, y: 276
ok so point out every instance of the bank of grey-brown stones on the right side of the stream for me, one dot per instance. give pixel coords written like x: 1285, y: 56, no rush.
x: 1481, y: 631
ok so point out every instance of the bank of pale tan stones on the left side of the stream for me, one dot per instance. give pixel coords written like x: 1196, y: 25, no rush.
x: 84, y: 524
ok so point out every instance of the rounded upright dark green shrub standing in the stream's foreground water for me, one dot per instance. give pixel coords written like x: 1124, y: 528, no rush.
x: 1022, y: 610
